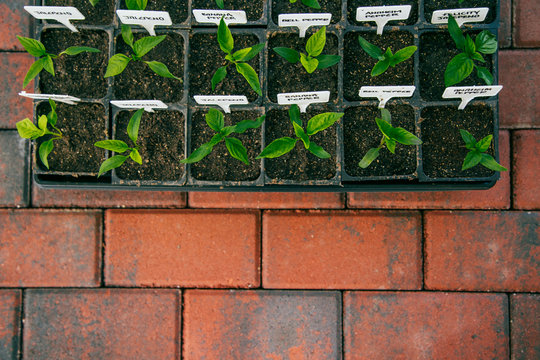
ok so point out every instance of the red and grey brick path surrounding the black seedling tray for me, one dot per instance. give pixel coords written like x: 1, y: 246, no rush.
x: 451, y: 275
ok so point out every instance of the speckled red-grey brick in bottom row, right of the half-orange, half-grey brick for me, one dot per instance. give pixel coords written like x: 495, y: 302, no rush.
x: 425, y: 326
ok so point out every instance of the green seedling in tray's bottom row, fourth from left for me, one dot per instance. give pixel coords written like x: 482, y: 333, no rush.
x: 285, y: 144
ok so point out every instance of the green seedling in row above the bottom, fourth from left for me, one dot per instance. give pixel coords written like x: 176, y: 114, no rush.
x: 313, y: 60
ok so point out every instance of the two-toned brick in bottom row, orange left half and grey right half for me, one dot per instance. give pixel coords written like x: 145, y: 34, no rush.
x: 261, y: 325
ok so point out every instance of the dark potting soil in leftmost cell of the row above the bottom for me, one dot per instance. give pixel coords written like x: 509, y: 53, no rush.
x: 80, y: 75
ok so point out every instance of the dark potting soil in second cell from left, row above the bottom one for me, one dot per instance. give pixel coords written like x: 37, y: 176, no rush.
x: 138, y: 81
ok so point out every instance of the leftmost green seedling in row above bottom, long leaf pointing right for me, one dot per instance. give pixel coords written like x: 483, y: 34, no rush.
x: 45, y: 59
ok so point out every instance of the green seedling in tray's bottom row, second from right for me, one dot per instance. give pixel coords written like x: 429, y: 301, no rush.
x: 391, y: 136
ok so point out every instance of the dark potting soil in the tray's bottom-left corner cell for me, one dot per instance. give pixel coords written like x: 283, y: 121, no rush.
x: 81, y: 125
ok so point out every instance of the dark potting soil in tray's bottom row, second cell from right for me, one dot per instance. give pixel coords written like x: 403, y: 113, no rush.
x: 360, y: 132
